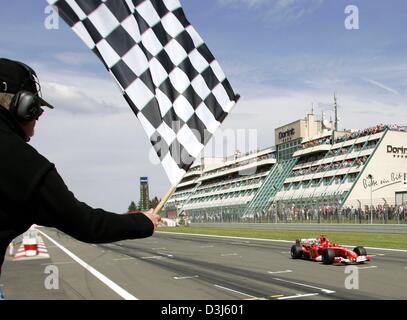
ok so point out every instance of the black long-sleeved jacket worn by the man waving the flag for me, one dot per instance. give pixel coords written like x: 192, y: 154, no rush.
x: 32, y: 192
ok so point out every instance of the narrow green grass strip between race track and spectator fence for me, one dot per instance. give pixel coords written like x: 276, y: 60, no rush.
x: 382, y: 240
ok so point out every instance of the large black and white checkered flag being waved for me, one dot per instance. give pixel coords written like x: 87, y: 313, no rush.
x: 166, y: 72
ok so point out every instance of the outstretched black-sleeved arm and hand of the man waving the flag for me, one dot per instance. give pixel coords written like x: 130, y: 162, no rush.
x: 55, y: 206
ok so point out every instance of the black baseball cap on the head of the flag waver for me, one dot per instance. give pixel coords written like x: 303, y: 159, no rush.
x: 16, y: 76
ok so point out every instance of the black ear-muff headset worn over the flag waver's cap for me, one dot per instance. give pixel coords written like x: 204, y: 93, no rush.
x: 25, y: 105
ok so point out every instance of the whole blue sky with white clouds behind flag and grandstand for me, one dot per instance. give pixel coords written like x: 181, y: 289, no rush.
x: 281, y: 56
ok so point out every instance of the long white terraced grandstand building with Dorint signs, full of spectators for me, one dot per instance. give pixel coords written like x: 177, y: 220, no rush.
x: 313, y: 168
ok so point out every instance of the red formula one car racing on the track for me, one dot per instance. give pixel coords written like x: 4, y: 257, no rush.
x: 328, y: 253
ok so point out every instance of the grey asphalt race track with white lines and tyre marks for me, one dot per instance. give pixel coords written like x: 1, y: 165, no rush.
x: 187, y: 267
